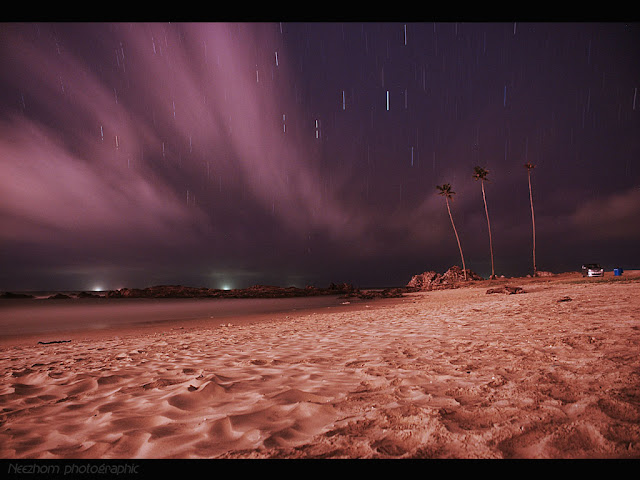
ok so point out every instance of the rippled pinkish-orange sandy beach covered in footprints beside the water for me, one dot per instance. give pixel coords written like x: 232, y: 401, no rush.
x: 552, y: 372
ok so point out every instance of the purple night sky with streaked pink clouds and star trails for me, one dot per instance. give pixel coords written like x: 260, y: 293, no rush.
x: 229, y: 155
